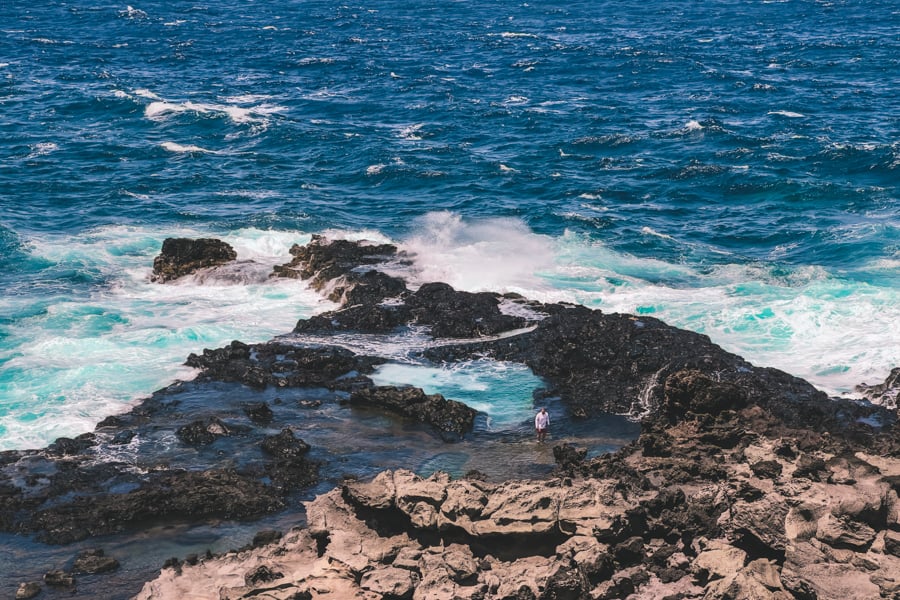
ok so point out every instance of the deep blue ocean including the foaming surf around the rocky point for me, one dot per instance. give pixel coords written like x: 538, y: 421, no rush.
x: 729, y: 167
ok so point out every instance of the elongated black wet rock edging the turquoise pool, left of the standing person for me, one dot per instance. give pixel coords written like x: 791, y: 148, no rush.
x: 449, y: 417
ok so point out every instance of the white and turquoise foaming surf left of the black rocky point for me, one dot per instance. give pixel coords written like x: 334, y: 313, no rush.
x: 94, y: 335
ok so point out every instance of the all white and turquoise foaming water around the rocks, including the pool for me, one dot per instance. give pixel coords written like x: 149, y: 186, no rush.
x: 74, y: 353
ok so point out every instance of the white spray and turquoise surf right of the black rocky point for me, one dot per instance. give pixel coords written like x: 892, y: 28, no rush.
x: 833, y: 329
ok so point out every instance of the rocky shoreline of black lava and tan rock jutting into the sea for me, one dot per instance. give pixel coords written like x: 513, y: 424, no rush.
x: 745, y: 482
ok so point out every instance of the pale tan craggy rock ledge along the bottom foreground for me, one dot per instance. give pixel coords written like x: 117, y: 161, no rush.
x: 742, y: 536
